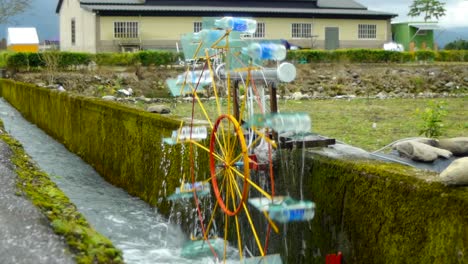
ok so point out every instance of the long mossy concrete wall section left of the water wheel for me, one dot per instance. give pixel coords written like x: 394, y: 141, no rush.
x: 123, y: 144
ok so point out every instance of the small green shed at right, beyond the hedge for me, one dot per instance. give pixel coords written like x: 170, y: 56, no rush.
x: 415, y: 36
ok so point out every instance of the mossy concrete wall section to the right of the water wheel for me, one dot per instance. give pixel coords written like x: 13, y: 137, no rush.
x: 373, y: 212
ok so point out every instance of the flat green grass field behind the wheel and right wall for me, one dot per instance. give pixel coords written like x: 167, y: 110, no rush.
x: 351, y: 121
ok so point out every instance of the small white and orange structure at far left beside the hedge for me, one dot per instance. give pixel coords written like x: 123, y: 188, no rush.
x: 22, y: 39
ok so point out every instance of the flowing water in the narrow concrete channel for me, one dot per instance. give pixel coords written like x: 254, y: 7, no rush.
x: 133, y: 226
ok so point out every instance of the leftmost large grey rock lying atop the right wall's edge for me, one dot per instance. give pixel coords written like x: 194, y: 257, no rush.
x: 418, y: 151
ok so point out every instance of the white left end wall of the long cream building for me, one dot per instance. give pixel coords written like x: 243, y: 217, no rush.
x: 85, y: 27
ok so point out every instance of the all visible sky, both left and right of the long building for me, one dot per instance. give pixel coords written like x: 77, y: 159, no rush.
x: 42, y: 15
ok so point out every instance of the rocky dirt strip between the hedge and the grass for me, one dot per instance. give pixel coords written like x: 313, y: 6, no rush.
x: 312, y: 80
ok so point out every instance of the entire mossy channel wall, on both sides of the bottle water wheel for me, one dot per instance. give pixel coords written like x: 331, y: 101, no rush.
x: 372, y: 212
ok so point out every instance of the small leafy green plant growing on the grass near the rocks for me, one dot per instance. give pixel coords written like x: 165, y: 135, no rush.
x: 432, y: 115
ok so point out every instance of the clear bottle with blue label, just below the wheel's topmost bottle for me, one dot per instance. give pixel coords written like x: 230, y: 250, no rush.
x: 266, y: 51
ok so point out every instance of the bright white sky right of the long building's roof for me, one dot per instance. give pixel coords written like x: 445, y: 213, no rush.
x: 456, y: 14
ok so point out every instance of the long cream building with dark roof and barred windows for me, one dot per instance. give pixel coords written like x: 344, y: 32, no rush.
x: 127, y: 25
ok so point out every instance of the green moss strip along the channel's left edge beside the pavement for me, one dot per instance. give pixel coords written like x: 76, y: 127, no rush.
x: 84, y: 242
